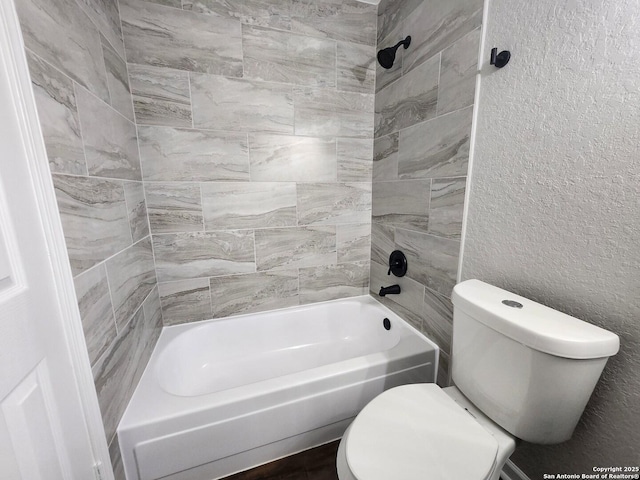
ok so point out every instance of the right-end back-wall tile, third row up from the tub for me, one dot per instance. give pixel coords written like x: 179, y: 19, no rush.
x: 333, y: 203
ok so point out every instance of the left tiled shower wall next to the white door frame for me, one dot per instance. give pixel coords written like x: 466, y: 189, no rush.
x: 76, y: 59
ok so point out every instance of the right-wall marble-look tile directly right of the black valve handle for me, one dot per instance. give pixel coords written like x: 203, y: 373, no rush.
x: 433, y: 261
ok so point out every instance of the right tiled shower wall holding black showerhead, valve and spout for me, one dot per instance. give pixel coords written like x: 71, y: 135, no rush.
x: 423, y: 111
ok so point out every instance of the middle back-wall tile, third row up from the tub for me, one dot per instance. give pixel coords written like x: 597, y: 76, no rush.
x: 248, y: 205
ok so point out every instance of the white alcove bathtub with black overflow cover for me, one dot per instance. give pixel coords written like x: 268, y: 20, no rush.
x: 222, y: 396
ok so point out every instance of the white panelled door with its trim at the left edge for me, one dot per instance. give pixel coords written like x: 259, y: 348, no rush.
x: 44, y: 431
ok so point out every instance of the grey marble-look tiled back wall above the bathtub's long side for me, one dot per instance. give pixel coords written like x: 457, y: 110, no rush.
x: 255, y: 123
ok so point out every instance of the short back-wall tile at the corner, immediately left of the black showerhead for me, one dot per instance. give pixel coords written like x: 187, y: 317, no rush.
x: 356, y: 67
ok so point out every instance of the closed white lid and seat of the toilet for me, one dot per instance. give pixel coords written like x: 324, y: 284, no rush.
x: 418, y: 432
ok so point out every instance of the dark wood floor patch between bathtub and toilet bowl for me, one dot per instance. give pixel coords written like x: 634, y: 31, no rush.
x: 316, y: 464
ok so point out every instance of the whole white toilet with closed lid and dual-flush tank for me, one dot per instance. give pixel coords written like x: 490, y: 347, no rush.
x: 521, y: 370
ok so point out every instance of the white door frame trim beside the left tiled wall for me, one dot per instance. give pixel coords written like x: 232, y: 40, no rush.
x: 13, y: 61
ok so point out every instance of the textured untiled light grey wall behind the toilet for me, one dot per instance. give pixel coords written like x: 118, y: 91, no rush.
x: 554, y: 206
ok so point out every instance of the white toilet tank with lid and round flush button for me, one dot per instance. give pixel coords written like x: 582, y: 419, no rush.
x: 529, y: 368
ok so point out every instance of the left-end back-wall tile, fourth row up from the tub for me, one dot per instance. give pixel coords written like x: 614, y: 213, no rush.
x: 174, y: 154
